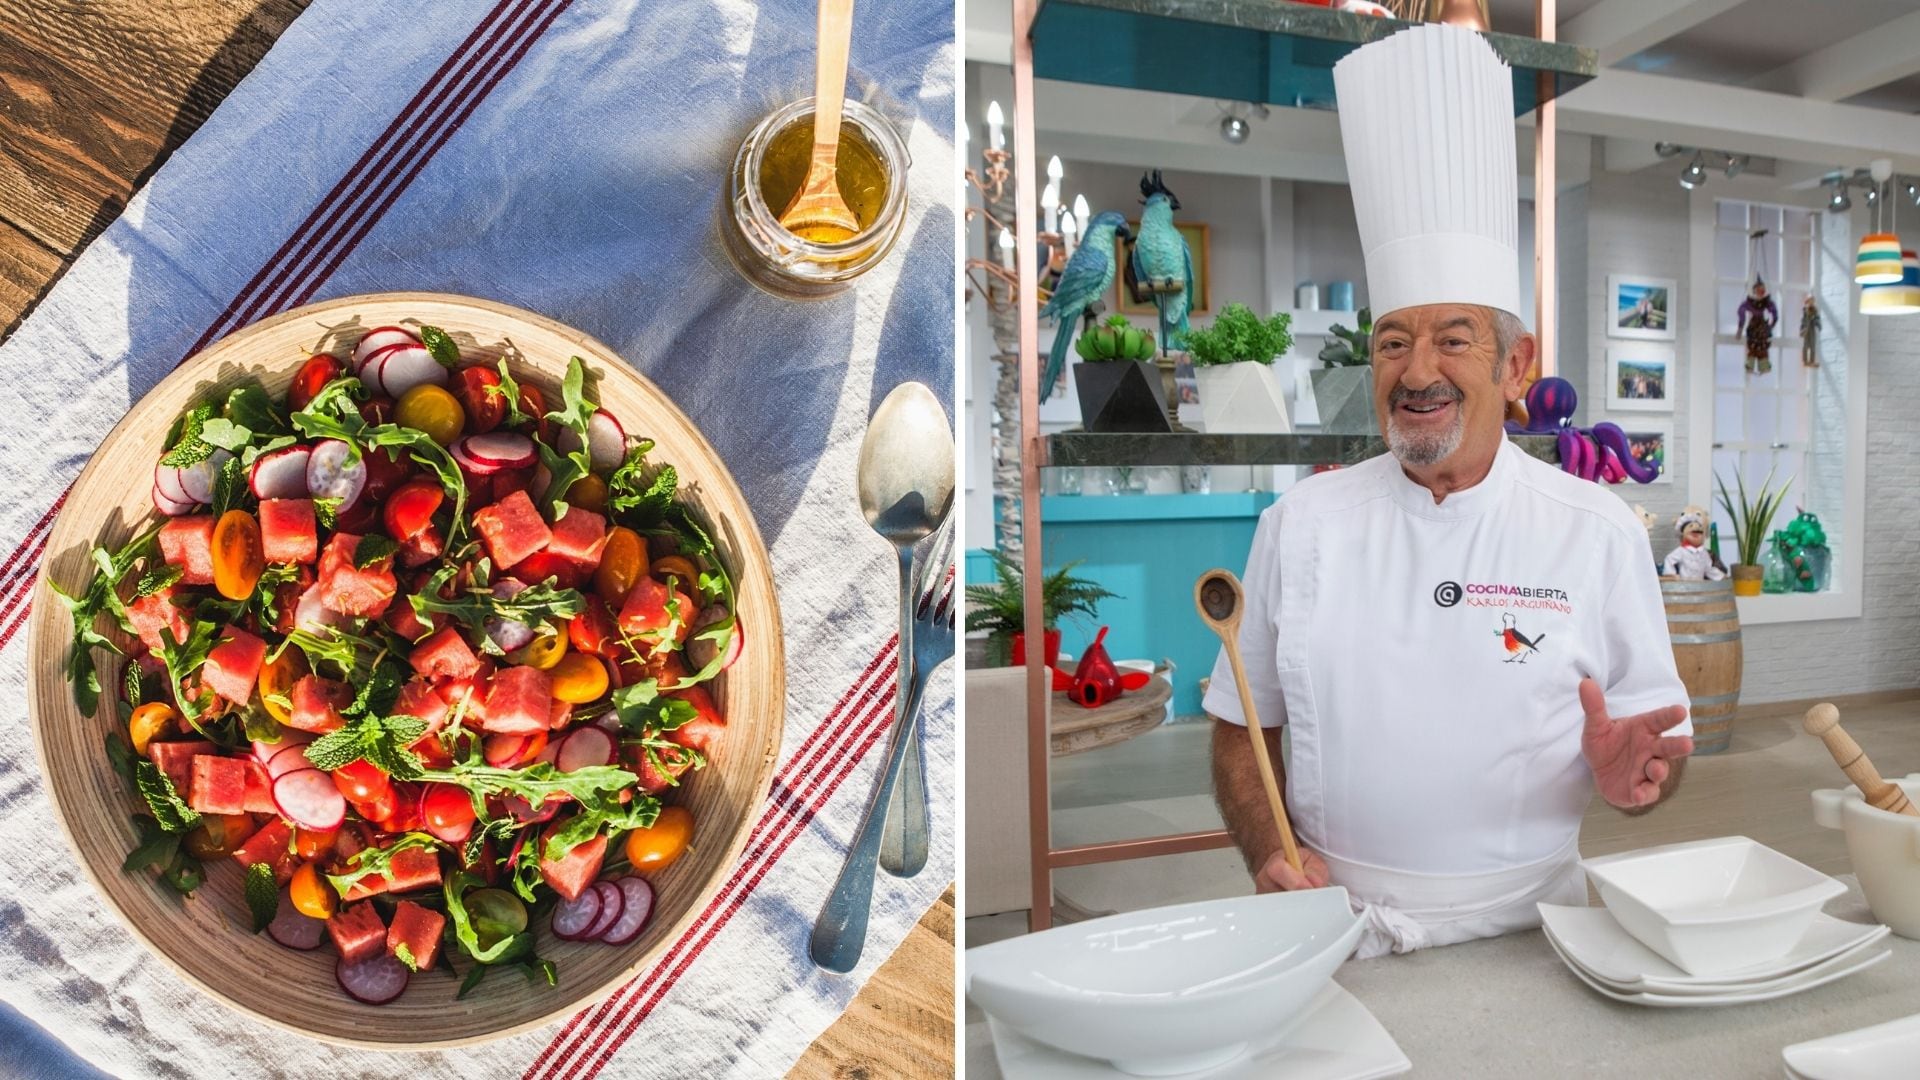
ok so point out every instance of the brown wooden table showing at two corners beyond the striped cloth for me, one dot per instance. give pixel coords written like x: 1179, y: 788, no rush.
x: 93, y: 99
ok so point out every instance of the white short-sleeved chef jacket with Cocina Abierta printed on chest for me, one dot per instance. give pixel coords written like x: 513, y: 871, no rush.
x: 1426, y: 660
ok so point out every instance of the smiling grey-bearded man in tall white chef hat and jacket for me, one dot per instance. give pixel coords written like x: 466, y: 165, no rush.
x: 1462, y: 643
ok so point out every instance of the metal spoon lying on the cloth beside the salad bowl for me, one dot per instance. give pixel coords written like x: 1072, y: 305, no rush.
x: 907, y: 489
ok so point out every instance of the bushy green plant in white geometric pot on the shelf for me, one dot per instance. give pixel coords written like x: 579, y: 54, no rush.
x: 1234, y: 368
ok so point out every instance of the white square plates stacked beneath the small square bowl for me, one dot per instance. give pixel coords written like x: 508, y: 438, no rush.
x: 1595, y: 939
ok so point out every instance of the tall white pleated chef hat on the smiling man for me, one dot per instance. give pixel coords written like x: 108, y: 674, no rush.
x: 1428, y: 124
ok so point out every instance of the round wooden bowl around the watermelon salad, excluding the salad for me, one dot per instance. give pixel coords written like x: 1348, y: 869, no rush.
x: 208, y: 937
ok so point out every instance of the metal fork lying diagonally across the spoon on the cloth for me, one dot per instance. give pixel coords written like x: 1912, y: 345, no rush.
x: 840, y: 933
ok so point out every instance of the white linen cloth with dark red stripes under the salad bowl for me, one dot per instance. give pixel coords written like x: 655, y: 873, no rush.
x: 565, y: 157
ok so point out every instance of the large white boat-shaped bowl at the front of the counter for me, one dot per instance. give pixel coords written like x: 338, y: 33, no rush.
x: 1170, y: 989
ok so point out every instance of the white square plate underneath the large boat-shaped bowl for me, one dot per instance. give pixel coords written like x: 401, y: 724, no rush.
x: 1335, y: 1039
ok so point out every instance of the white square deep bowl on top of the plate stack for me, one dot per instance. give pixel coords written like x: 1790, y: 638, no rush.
x: 1714, y: 906
